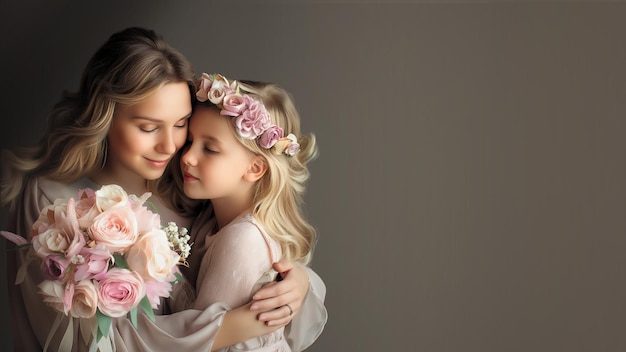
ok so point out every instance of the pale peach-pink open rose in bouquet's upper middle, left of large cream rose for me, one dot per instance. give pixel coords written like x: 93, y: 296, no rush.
x: 116, y: 228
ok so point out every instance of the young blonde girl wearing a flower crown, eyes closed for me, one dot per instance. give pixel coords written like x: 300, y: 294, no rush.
x: 245, y: 154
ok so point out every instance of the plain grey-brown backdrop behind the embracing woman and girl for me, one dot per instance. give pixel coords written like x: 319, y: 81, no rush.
x: 470, y: 190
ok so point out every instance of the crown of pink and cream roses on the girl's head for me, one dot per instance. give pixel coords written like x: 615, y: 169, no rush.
x: 252, y: 121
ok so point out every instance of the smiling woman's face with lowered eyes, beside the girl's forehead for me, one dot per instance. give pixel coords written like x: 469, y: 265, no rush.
x: 145, y: 136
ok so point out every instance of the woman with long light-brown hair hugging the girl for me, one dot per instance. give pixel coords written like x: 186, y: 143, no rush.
x: 123, y: 126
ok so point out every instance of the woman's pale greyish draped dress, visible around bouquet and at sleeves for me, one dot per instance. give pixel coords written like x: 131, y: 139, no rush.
x: 188, y: 330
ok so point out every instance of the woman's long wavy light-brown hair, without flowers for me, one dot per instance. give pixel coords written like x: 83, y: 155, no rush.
x: 126, y: 69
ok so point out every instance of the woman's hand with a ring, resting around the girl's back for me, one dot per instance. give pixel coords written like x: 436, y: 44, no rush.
x: 275, y: 299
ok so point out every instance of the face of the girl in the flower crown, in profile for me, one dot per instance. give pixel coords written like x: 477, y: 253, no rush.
x: 214, y: 162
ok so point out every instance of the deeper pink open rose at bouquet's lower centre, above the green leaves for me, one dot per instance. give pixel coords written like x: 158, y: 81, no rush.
x: 119, y: 291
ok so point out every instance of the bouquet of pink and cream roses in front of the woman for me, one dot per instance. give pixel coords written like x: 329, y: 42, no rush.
x: 104, y: 254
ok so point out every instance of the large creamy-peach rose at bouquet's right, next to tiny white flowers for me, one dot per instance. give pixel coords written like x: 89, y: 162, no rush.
x: 152, y: 257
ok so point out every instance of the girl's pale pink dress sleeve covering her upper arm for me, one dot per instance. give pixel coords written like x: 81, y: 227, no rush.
x: 239, y: 255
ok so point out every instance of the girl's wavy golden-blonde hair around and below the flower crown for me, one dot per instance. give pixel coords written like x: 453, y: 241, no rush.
x: 278, y: 195
